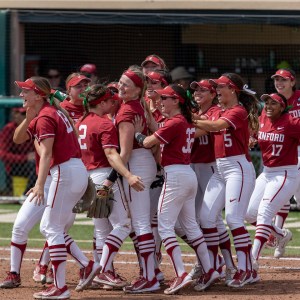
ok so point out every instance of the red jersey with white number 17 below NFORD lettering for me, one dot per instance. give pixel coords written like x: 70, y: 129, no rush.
x: 278, y: 141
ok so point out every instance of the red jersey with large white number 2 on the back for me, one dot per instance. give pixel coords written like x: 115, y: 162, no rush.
x: 95, y: 134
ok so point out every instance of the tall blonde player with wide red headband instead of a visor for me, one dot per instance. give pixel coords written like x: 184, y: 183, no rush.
x: 141, y: 162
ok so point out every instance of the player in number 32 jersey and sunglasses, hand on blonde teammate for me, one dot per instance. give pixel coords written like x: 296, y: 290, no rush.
x: 177, y: 199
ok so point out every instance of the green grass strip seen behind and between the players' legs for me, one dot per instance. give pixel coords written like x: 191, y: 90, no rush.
x: 83, y: 234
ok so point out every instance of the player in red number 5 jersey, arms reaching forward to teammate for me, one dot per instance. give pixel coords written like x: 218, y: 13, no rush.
x: 232, y: 183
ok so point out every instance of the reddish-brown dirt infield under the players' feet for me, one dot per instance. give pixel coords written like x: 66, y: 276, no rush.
x: 280, y: 279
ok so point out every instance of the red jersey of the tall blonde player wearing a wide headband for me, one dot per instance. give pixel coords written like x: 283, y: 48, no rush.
x: 127, y: 113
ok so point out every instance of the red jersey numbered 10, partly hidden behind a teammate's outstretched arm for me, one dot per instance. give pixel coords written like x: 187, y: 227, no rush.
x: 203, y: 150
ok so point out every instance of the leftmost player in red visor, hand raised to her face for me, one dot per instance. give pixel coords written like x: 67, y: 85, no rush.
x: 54, y: 131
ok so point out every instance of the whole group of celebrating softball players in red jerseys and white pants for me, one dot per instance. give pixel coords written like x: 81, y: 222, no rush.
x: 174, y: 160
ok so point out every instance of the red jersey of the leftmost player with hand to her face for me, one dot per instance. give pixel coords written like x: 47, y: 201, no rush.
x: 52, y: 123
